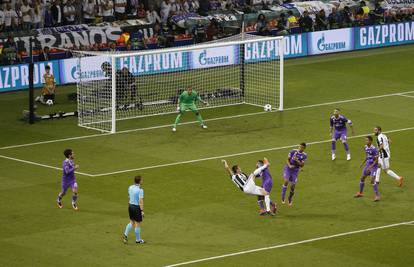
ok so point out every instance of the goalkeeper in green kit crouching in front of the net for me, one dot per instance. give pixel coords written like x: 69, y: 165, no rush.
x: 187, y: 101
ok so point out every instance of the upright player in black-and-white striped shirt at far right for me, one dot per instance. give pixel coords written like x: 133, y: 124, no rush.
x: 384, y: 156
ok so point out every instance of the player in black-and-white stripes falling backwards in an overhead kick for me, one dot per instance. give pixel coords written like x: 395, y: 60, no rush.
x: 246, y: 183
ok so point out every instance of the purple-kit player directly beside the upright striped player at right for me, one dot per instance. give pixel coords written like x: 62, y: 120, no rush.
x: 371, y: 168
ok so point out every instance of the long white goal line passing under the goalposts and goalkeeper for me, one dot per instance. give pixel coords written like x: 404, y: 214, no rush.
x: 192, y: 122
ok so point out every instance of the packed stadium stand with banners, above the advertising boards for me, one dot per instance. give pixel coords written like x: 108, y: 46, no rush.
x: 166, y: 23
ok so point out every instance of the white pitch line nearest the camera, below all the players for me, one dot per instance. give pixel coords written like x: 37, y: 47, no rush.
x: 291, y: 244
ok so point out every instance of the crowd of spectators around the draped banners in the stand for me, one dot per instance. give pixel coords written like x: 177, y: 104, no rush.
x: 17, y: 16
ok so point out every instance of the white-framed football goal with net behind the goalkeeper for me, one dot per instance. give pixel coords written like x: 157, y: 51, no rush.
x: 240, y: 70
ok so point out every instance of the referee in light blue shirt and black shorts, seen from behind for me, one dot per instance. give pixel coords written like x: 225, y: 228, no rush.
x: 136, y: 210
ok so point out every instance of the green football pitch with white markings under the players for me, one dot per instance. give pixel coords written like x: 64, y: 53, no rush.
x: 194, y: 214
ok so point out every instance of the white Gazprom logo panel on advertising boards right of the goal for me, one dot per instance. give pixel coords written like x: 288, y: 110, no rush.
x: 330, y: 41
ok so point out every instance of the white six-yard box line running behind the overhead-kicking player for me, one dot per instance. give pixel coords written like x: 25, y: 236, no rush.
x: 235, y: 154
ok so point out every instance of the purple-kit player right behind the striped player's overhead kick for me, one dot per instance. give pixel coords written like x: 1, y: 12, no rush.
x: 267, y: 184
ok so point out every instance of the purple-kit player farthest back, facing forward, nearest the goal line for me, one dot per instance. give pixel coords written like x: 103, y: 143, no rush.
x: 338, y: 131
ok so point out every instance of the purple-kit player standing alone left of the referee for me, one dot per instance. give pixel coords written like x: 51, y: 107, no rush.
x: 69, y: 179
